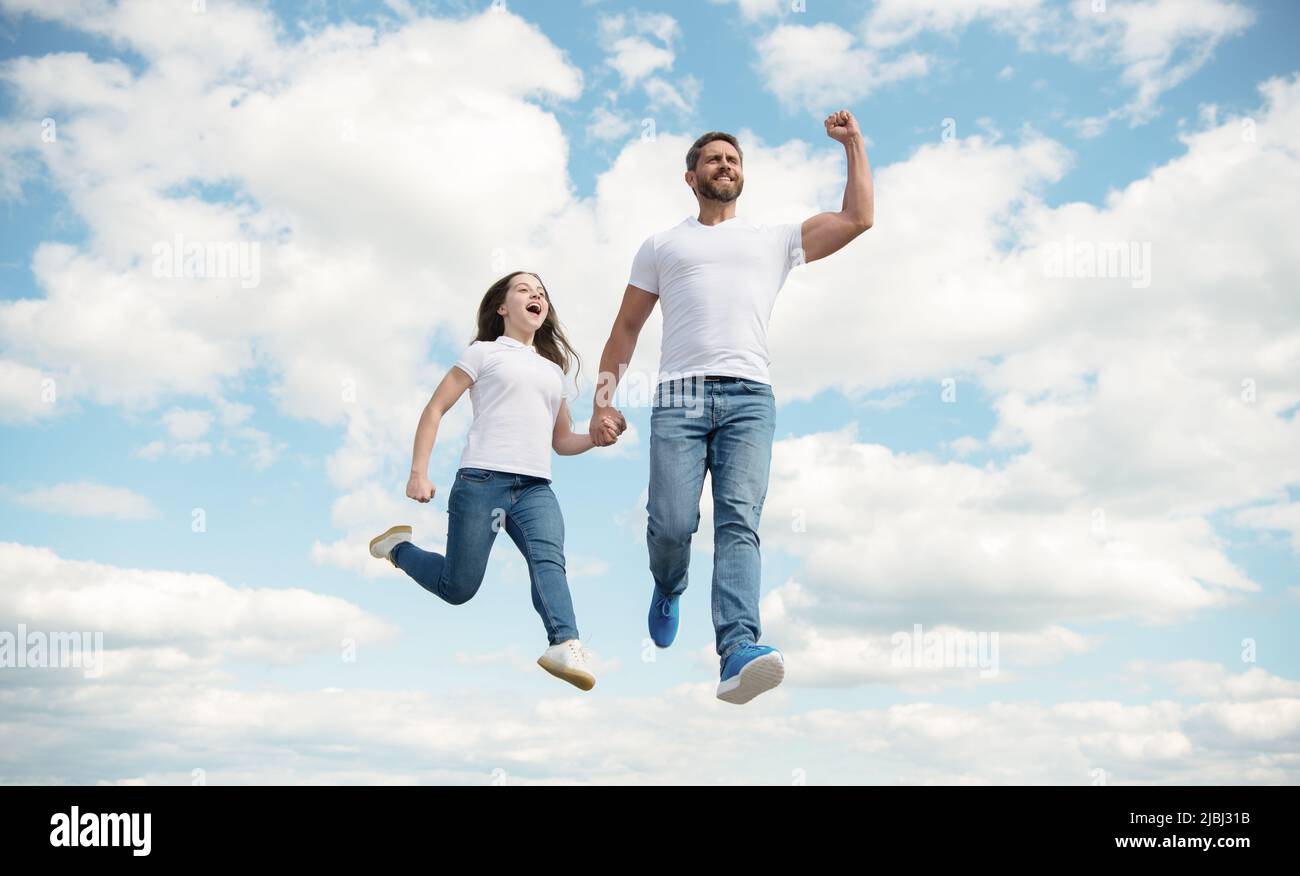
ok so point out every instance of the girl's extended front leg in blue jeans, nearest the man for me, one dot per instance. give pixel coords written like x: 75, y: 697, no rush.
x: 536, y: 526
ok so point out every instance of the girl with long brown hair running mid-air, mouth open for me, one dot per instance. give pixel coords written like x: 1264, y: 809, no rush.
x: 515, y: 375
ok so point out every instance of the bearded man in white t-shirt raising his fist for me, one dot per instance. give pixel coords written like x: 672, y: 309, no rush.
x: 717, y: 277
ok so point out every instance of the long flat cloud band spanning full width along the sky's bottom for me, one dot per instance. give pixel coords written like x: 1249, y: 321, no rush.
x: 682, y: 736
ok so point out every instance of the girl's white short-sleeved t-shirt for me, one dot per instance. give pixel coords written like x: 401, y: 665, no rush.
x: 517, y: 397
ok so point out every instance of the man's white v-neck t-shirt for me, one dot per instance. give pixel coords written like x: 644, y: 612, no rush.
x: 717, y: 285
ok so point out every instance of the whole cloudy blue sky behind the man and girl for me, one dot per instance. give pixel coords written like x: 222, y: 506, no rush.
x: 385, y: 158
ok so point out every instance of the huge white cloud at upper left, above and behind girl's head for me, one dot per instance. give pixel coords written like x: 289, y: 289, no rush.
x: 349, y: 105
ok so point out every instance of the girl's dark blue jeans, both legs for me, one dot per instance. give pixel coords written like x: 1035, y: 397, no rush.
x: 480, y: 504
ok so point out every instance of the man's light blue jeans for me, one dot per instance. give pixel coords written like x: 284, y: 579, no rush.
x: 725, y: 428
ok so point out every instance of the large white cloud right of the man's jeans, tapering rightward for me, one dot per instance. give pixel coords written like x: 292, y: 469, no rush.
x: 985, y: 549
